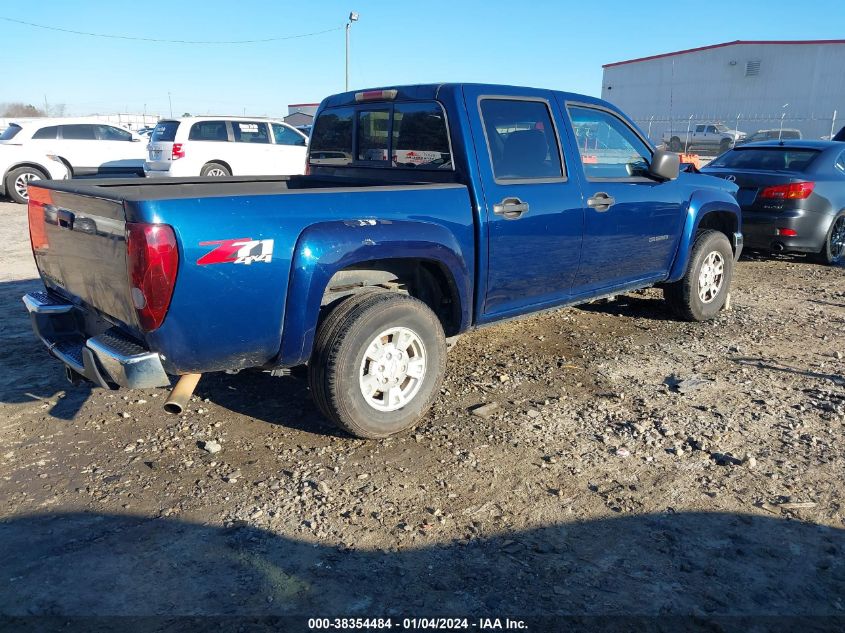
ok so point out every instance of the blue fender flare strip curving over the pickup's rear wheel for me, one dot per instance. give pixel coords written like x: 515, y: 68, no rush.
x: 326, y: 248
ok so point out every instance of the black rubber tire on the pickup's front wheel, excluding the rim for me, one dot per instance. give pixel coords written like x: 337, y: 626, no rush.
x: 683, y: 295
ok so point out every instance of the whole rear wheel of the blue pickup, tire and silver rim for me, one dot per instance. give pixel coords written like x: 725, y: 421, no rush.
x: 378, y: 363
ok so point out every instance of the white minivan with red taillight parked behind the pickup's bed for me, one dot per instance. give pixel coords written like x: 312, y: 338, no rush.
x: 225, y: 146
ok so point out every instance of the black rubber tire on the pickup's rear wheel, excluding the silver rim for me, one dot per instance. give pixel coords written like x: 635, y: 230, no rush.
x: 338, y: 360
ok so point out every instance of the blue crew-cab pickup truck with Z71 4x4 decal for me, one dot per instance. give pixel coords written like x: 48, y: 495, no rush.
x: 425, y: 211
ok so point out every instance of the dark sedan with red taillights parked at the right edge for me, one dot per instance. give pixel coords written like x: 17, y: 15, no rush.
x: 792, y: 195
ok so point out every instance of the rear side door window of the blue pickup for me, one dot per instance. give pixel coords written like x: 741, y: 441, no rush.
x: 521, y: 138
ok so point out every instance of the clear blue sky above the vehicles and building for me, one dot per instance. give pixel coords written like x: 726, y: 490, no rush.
x: 541, y: 43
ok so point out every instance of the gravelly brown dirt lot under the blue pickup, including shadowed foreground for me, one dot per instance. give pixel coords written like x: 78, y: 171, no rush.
x: 632, y: 464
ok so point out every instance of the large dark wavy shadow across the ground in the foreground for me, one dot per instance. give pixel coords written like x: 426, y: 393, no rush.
x: 653, y: 565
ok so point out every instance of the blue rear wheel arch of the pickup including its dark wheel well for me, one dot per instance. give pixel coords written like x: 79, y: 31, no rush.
x: 334, y: 259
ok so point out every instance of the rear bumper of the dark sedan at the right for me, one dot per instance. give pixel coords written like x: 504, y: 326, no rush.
x: 761, y: 230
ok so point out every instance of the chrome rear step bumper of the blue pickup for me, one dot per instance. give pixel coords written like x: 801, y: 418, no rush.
x: 108, y: 359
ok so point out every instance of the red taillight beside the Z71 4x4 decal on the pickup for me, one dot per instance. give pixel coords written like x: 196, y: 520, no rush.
x: 152, y: 260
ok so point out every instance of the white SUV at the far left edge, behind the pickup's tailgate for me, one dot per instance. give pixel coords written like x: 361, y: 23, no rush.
x: 86, y: 147
